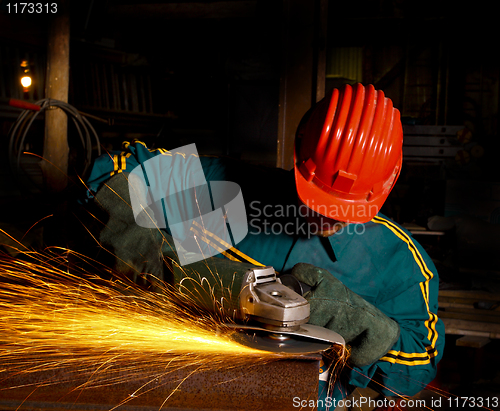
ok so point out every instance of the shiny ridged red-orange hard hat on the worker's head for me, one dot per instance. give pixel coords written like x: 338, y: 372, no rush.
x: 348, y: 153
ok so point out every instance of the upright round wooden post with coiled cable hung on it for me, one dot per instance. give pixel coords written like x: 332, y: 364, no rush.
x: 55, y: 149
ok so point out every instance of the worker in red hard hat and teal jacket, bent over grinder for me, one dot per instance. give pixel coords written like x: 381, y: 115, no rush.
x: 370, y: 280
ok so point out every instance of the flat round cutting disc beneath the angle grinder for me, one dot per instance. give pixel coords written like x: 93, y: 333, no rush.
x: 279, y: 343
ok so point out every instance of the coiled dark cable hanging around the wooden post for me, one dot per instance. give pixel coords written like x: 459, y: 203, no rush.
x: 19, y: 131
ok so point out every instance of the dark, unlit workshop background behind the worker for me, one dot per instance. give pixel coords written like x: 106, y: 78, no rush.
x: 217, y: 73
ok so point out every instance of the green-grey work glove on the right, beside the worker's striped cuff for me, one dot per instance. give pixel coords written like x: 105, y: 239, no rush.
x: 368, y: 331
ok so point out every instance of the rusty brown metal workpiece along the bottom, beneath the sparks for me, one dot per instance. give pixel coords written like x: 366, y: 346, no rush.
x: 268, y: 385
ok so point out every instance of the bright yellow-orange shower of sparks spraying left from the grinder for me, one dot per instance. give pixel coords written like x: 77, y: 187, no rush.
x: 56, y: 316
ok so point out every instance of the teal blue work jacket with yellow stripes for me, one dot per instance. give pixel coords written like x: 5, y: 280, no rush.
x: 378, y: 260
